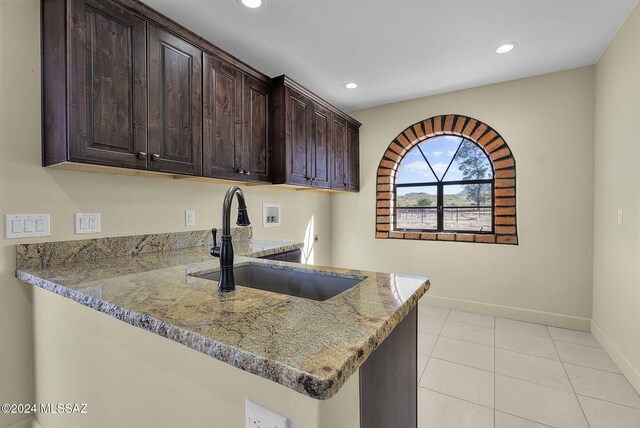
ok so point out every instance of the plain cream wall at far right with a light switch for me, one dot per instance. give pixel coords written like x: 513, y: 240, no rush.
x: 616, y: 262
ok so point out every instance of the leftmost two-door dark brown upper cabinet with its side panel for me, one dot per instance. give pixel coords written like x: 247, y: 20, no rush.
x: 134, y: 97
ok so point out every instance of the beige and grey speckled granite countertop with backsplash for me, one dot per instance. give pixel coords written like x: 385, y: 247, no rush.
x: 309, y: 346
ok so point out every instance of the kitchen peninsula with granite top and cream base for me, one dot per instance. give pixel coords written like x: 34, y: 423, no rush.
x: 312, y: 347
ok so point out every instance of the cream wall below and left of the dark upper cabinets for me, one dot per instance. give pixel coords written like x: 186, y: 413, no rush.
x: 129, y: 205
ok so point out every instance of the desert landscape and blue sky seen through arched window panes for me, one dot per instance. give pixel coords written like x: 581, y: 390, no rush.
x: 445, y: 184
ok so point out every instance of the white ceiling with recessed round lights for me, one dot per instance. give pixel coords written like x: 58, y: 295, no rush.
x: 403, y: 49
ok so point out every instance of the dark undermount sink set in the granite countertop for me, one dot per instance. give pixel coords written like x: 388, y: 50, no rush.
x: 310, y: 285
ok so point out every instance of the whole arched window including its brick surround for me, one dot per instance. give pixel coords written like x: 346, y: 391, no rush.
x: 447, y: 178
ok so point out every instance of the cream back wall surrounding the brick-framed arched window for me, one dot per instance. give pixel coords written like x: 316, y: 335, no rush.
x: 547, y: 121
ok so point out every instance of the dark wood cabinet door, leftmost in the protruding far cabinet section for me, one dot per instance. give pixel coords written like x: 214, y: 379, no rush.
x: 299, y: 111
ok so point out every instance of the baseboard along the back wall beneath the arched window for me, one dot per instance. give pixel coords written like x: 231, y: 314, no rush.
x: 521, y: 314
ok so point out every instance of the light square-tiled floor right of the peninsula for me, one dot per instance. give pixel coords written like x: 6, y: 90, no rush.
x: 477, y: 371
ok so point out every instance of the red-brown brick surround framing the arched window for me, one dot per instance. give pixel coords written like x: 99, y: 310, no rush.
x: 503, y: 163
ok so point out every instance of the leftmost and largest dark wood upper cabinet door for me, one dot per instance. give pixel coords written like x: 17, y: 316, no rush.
x: 107, y: 85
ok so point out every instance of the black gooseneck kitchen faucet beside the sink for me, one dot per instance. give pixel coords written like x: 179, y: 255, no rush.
x: 225, y: 250
